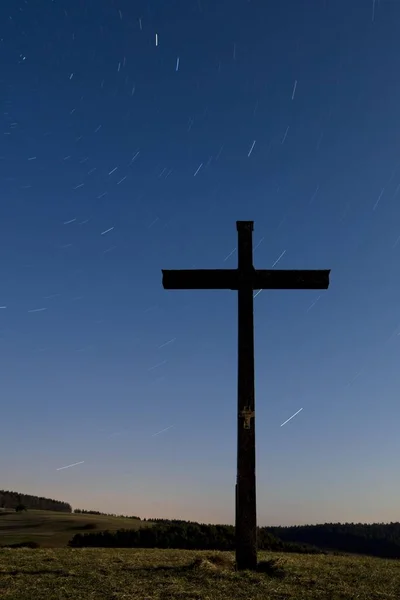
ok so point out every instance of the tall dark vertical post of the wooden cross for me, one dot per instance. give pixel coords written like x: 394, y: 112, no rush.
x: 246, y: 515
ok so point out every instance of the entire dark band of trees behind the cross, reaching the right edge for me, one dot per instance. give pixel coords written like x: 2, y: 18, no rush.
x: 379, y: 539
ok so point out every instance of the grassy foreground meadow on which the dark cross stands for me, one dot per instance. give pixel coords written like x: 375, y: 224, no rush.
x: 136, y: 574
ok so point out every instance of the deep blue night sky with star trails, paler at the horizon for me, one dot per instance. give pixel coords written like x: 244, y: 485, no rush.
x: 104, y: 128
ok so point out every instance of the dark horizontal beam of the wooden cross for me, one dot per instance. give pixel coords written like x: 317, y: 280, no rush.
x: 233, y: 279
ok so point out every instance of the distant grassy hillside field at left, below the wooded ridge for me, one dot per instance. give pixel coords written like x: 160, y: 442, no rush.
x: 55, y: 529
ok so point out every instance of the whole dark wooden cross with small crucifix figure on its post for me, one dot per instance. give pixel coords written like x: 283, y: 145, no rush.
x: 245, y: 279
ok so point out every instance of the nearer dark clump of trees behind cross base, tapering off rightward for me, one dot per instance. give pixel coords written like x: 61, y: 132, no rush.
x: 181, y: 535
